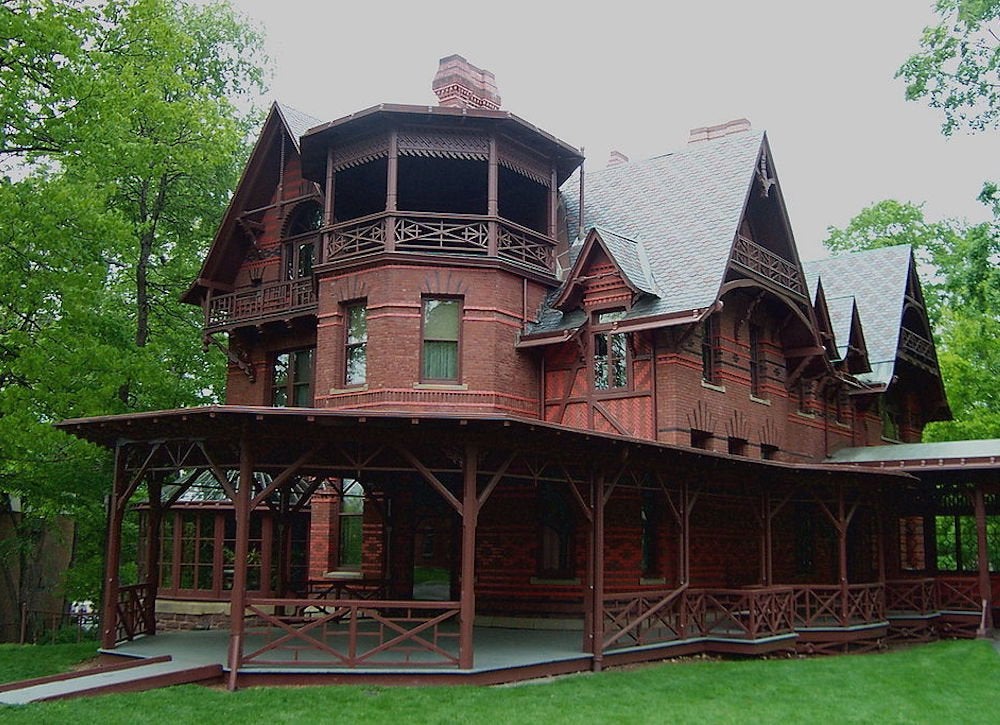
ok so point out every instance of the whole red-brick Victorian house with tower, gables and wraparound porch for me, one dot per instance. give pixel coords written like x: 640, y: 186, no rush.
x: 474, y: 387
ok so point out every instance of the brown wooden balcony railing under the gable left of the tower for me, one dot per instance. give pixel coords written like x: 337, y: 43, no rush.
x: 258, y: 303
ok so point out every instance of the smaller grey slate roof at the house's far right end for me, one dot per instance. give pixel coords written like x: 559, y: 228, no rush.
x: 876, y: 279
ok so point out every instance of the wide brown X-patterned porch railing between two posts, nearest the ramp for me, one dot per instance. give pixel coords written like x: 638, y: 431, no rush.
x: 351, y: 633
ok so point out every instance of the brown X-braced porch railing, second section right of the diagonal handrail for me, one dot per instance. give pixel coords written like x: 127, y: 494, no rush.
x: 825, y: 605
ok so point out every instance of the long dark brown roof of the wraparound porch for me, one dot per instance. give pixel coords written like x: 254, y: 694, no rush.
x: 282, y: 434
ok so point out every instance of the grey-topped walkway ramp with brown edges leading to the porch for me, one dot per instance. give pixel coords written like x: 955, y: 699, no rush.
x: 129, y: 676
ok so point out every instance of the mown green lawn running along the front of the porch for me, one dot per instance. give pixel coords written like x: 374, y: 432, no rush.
x: 953, y: 682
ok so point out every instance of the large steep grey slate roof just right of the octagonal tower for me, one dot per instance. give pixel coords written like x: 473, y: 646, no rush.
x: 682, y: 211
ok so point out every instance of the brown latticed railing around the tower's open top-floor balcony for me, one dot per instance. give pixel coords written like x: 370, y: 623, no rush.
x: 464, y: 234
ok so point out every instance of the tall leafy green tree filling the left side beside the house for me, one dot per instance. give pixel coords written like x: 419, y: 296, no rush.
x: 130, y: 132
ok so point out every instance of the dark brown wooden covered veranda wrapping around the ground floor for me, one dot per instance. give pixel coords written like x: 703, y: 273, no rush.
x: 275, y: 459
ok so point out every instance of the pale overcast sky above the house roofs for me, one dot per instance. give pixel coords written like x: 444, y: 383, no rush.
x: 818, y: 76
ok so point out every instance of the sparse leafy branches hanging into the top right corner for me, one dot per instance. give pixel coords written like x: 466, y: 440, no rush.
x: 957, y: 68
